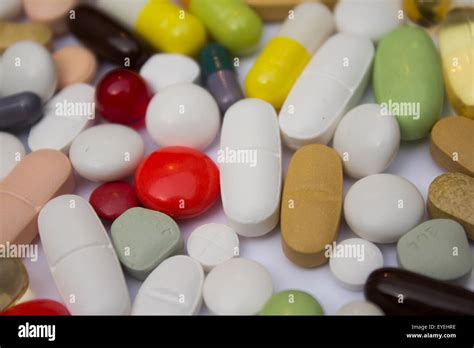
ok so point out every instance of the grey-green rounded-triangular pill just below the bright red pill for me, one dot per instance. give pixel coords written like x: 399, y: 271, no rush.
x: 143, y: 238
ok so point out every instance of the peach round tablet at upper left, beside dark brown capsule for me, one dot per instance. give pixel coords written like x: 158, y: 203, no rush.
x: 75, y: 64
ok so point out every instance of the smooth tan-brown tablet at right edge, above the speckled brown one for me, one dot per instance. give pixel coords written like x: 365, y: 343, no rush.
x: 452, y: 144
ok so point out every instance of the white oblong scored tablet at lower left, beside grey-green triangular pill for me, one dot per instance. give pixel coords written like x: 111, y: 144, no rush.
x: 81, y: 258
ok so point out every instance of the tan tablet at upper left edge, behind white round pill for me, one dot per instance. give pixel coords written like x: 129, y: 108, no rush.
x: 11, y: 33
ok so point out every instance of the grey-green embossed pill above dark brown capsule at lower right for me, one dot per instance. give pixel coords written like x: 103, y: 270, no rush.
x: 436, y: 248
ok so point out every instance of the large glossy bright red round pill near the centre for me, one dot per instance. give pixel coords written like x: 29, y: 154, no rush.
x: 178, y: 181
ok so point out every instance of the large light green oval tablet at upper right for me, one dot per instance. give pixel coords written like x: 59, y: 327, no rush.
x: 408, y: 80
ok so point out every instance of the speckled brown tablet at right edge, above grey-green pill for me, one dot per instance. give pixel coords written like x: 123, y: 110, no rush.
x: 451, y: 196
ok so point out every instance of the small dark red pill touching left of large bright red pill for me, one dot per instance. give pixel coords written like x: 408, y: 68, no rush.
x: 111, y: 199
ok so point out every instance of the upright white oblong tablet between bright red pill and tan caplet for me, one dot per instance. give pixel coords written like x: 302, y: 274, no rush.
x: 250, y: 167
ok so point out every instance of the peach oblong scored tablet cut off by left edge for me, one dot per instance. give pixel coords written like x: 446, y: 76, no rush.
x: 39, y: 177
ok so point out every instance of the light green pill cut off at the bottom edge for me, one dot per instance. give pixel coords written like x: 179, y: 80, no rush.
x: 292, y: 302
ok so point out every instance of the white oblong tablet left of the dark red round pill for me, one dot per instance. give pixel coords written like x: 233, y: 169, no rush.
x: 66, y: 115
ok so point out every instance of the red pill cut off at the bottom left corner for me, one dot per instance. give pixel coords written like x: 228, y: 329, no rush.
x: 37, y: 308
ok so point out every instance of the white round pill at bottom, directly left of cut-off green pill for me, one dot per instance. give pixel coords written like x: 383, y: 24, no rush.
x: 237, y: 287
